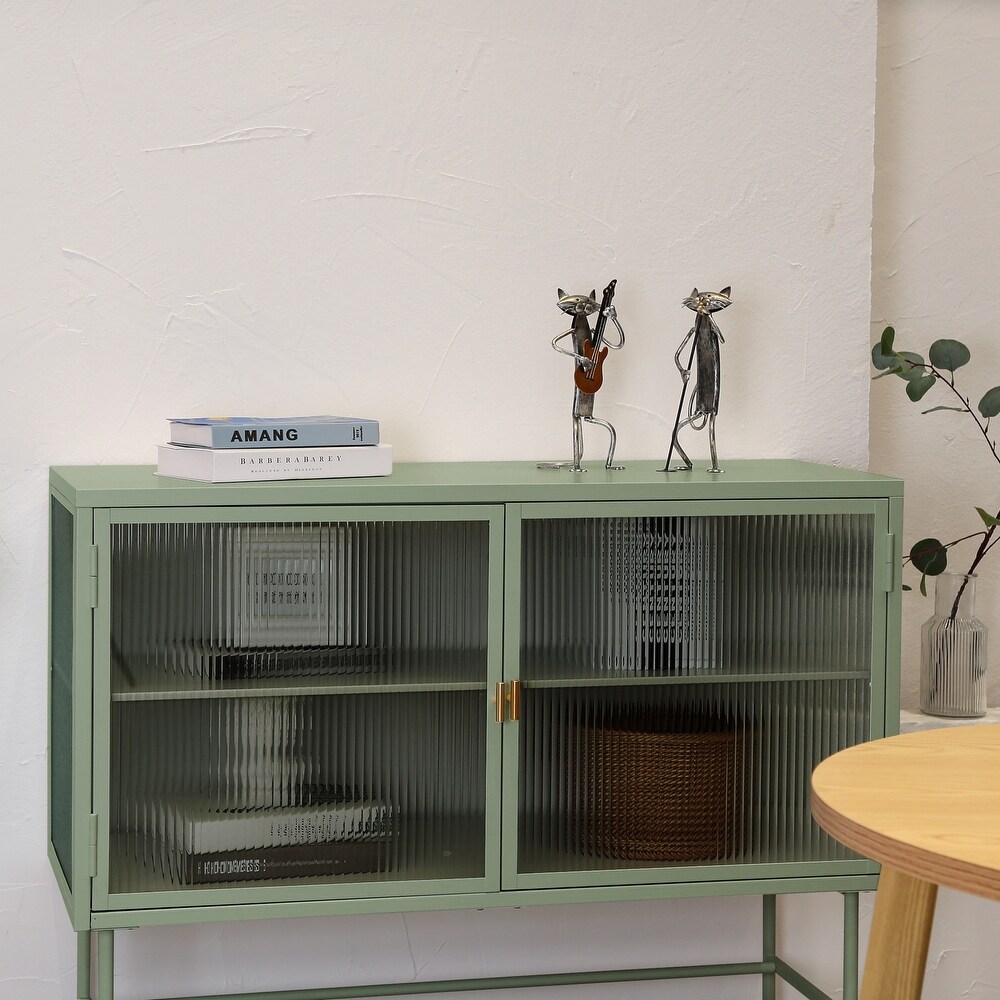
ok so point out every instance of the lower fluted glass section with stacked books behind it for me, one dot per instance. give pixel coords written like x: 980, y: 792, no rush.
x: 341, y: 788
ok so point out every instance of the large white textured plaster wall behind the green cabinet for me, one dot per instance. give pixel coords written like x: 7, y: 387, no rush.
x: 366, y: 208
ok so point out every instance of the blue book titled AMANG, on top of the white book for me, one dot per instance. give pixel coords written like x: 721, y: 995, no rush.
x: 273, y: 432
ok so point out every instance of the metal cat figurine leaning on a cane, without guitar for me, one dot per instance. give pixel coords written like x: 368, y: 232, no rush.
x: 705, y: 356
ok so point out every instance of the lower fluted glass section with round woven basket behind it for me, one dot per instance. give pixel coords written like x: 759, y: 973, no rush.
x: 665, y: 775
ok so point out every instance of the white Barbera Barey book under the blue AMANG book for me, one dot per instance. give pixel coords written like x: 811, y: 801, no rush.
x: 227, y: 465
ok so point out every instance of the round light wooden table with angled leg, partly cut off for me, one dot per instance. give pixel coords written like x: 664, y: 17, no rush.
x: 927, y: 806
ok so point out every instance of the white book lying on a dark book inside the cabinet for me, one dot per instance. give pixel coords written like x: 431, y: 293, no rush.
x: 198, y: 830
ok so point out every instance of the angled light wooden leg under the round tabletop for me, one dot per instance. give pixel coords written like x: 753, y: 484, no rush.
x: 901, y: 933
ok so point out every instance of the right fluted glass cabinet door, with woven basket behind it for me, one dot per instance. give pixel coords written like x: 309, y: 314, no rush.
x: 683, y: 668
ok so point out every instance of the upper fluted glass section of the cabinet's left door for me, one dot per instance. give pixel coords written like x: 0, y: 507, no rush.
x: 203, y: 606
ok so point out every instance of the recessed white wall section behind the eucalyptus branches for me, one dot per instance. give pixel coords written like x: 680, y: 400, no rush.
x: 935, y: 274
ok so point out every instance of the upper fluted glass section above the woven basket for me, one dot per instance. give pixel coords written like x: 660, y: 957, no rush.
x: 672, y: 596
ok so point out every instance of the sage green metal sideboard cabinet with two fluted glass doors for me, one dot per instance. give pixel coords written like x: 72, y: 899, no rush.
x: 462, y: 685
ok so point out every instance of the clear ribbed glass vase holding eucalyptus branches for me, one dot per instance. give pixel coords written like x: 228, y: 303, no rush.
x: 953, y: 651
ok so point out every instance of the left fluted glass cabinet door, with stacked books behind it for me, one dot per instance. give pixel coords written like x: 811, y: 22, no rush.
x: 300, y: 706
